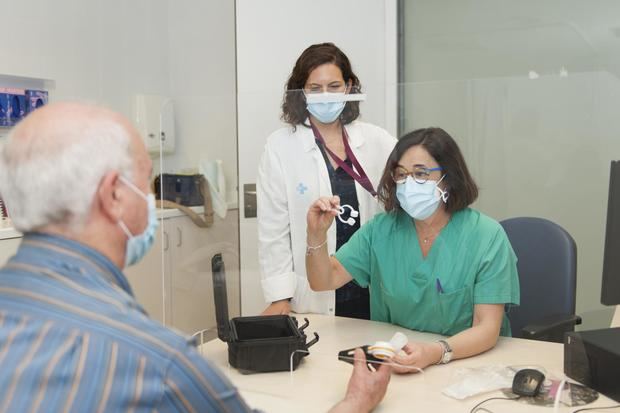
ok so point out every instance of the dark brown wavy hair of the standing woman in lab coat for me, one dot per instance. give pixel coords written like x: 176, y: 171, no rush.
x: 294, y: 110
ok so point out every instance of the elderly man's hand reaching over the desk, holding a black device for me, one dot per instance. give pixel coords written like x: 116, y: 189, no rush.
x: 366, y: 388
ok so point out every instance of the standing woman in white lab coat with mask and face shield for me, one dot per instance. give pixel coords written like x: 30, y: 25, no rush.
x: 325, y: 151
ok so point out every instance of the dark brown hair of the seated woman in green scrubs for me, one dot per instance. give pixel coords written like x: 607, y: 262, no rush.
x: 441, y: 146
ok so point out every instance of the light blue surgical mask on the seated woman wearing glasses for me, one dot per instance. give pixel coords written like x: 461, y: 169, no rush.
x: 420, y: 201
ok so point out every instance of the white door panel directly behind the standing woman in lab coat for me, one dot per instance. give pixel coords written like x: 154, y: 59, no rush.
x: 271, y: 34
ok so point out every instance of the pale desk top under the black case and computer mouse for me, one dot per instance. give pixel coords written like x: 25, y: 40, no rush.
x: 320, y: 380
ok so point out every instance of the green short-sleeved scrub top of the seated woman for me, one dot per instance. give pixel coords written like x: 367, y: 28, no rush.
x: 470, y: 262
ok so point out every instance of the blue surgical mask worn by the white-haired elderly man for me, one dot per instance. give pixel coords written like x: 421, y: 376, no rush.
x: 138, y: 245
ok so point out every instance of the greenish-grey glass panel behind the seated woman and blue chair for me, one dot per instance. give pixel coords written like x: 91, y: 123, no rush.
x: 530, y: 91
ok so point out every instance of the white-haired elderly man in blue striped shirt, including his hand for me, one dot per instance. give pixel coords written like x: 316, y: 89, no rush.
x: 73, y: 338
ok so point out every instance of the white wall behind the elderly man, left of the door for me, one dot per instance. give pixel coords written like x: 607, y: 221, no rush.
x: 108, y: 51
